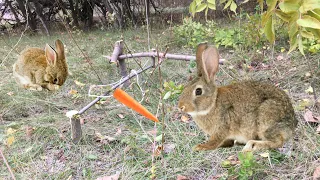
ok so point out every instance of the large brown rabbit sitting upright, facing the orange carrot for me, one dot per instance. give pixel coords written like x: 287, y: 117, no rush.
x: 257, y: 114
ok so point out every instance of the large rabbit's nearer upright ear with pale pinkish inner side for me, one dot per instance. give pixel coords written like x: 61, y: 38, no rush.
x: 210, y: 63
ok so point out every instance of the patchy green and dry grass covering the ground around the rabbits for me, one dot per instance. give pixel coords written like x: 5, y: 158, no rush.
x: 48, y: 153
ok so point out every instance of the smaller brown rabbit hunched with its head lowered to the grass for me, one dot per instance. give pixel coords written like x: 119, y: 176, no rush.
x: 37, y: 68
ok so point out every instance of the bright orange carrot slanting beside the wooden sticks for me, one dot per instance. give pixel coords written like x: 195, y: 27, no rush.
x: 127, y: 100
